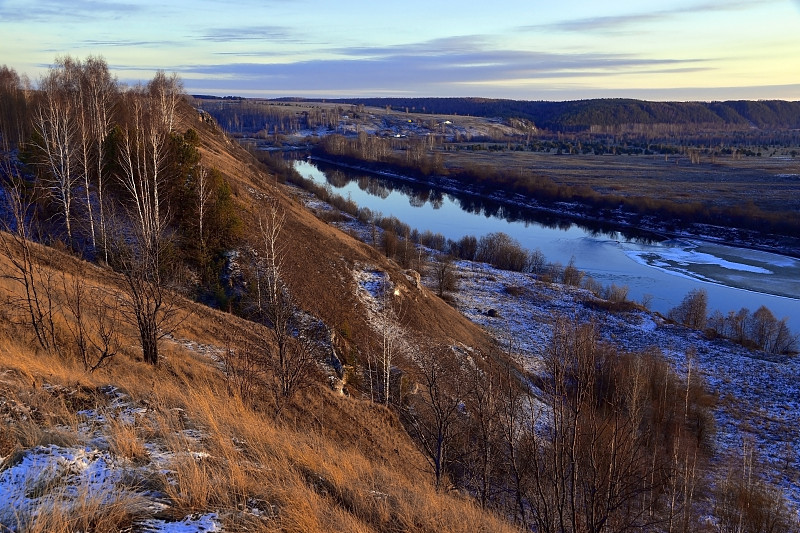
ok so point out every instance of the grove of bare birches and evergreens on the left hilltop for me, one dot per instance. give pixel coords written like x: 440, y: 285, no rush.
x: 101, y: 170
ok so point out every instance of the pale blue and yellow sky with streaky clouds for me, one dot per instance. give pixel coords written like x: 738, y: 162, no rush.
x: 521, y: 49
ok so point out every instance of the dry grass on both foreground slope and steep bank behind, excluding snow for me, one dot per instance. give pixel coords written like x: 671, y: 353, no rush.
x: 333, y: 463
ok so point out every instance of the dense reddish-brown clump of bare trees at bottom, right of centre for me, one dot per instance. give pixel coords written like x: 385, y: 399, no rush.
x: 590, y: 469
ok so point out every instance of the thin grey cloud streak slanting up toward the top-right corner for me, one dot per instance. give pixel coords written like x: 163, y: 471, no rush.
x: 616, y: 22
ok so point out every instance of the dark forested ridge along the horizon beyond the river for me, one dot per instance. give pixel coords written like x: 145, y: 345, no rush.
x: 597, y: 115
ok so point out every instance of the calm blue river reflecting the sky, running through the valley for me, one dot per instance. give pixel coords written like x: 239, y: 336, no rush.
x: 661, y: 270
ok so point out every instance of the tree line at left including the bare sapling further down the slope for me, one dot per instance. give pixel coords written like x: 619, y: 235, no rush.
x: 104, y: 172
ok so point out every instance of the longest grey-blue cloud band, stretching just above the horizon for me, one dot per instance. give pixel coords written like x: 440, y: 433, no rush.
x: 441, y: 69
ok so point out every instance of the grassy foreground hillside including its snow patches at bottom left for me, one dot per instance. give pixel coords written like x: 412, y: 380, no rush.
x: 170, y: 447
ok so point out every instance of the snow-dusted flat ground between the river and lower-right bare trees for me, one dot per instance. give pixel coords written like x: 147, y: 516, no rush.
x: 758, y: 394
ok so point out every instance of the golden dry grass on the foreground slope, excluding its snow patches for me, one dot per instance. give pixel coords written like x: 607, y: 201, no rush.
x: 333, y: 463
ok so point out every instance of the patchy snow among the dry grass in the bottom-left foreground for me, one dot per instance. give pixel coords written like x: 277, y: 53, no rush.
x: 49, y: 479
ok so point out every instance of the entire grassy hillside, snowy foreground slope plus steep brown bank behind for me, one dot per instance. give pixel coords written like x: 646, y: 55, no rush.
x: 160, y: 448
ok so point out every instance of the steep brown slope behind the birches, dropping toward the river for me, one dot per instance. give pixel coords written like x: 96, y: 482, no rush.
x: 321, y: 258
